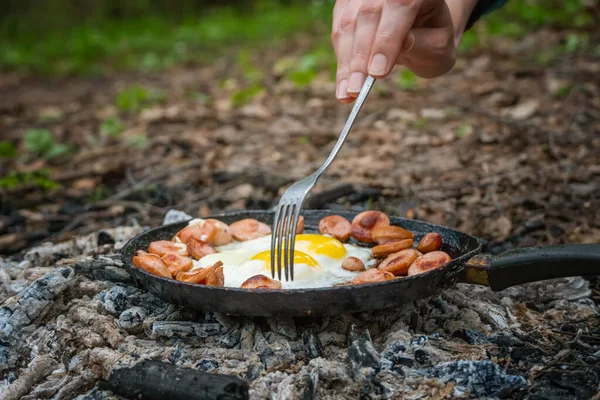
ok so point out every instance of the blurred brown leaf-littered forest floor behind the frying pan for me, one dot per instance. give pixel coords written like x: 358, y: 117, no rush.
x: 505, y: 146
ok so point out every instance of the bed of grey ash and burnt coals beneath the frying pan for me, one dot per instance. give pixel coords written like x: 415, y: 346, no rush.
x: 71, y: 316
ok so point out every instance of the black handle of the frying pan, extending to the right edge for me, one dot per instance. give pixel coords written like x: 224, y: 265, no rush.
x: 533, y: 264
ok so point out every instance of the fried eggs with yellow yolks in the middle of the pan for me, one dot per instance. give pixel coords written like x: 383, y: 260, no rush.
x: 317, y: 261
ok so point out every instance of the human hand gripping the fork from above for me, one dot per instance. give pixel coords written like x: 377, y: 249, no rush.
x: 372, y: 36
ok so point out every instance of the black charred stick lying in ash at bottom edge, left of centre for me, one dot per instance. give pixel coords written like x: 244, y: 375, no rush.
x: 156, y: 380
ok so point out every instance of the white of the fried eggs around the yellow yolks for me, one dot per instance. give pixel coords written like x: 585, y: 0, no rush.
x: 238, y: 265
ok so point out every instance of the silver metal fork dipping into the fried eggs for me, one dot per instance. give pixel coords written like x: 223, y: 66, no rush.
x: 288, y: 209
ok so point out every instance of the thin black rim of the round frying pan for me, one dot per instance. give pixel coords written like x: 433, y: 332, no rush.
x: 459, y: 260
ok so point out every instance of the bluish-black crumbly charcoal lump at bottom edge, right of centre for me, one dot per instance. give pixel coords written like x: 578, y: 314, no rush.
x: 480, y: 378
